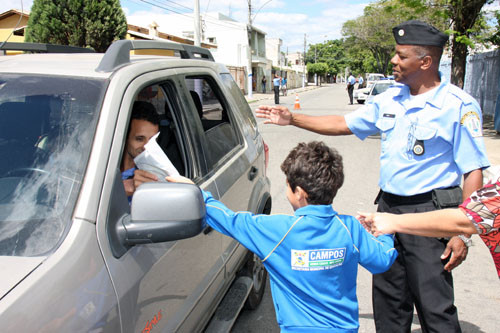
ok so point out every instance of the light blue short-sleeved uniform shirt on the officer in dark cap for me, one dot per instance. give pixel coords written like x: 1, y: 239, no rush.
x: 448, y: 122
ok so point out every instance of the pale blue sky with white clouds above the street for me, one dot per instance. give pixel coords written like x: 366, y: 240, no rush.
x: 289, y: 20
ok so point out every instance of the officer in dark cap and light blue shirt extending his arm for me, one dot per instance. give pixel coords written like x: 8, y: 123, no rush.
x: 431, y: 135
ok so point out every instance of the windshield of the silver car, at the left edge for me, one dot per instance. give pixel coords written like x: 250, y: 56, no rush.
x: 46, y: 130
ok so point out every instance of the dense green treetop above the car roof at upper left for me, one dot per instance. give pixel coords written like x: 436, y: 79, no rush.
x: 85, y: 23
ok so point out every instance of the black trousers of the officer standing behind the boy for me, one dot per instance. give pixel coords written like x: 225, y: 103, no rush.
x: 416, y: 278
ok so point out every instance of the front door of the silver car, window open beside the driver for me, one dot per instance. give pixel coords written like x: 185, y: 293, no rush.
x: 169, y: 286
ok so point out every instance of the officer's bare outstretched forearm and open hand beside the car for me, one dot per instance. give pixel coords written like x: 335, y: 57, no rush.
x: 326, y: 125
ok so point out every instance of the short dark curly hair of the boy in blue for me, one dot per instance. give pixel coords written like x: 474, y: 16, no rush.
x: 317, y: 169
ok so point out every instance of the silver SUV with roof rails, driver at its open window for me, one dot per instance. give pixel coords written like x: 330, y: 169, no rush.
x: 75, y: 256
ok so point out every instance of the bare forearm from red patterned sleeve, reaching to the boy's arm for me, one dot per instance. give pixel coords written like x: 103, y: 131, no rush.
x: 438, y: 223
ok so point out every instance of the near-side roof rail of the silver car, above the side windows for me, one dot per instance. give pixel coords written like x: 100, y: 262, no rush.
x: 118, y: 53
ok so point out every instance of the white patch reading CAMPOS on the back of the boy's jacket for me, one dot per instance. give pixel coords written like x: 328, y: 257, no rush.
x: 317, y: 260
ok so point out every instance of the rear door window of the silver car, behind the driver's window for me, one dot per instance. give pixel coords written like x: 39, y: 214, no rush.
x: 216, y: 120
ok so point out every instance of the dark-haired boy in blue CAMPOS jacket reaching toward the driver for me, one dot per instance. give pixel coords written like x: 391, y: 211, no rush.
x: 312, y: 256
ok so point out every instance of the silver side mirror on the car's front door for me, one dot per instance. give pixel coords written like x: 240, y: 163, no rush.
x: 160, y: 212
